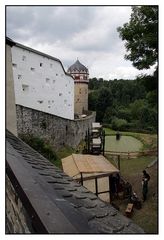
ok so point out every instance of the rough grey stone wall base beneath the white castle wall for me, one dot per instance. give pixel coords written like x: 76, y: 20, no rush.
x: 57, y: 130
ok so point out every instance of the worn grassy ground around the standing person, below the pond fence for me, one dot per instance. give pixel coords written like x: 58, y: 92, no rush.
x: 131, y: 171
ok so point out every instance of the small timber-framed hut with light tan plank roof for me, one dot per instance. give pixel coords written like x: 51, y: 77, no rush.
x: 92, y: 171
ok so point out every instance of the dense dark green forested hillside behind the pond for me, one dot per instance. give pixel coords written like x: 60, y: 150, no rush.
x: 129, y: 105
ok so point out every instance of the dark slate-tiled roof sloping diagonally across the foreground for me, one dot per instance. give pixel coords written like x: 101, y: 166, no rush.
x: 61, y: 204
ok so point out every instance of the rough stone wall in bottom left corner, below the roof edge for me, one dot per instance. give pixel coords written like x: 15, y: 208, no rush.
x: 17, y: 218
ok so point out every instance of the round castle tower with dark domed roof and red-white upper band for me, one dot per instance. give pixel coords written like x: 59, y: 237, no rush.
x: 81, y: 79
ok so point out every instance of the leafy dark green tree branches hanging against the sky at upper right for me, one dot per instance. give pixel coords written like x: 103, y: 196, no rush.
x: 141, y: 36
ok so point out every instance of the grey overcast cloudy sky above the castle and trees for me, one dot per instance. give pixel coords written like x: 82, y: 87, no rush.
x: 87, y: 33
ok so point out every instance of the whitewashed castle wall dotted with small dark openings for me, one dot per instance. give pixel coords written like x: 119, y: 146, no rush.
x: 41, y: 83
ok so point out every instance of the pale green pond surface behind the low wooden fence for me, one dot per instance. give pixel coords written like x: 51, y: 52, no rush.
x: 125, y: 144
